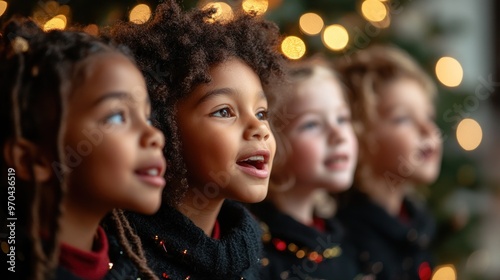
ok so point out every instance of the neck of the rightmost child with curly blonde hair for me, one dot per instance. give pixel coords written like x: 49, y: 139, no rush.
x: 390, y: 198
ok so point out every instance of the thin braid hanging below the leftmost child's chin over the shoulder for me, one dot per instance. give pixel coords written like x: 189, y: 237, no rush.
x: 124, y: 230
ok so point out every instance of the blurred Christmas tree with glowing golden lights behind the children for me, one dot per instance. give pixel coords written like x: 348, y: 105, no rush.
x: 456, y: 198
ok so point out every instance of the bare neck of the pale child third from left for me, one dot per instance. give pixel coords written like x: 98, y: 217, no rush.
x: 298, y: 203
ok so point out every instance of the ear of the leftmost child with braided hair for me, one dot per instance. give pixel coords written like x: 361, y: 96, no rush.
x: 25, y: 156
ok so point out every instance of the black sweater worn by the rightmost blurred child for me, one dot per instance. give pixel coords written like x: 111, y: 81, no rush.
x: 387, y: 246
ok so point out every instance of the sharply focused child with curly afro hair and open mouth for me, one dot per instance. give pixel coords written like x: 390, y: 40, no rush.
x: 206, y: 80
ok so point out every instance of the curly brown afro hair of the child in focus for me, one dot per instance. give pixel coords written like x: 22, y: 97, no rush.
x: 175, y: 51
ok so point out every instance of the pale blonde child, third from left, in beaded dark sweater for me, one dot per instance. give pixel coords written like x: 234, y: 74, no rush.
x: 317, y: 153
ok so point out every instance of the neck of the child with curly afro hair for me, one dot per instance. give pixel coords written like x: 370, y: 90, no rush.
x: 202, y: 212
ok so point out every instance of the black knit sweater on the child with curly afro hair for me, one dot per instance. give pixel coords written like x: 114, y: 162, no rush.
x: 176, y: 248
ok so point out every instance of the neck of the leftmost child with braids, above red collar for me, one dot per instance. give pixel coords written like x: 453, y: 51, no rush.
x: 78, y: 229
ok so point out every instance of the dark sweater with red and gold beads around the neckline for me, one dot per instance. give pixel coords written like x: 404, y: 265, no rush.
x: 284, y: 261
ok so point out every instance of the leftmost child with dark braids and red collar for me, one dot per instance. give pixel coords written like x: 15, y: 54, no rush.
x: 80, y: 143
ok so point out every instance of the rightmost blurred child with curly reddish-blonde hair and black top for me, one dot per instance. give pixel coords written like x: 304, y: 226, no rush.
x: 400, y: 149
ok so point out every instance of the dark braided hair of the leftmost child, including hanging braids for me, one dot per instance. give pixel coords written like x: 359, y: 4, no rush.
x: 38, y: 72
